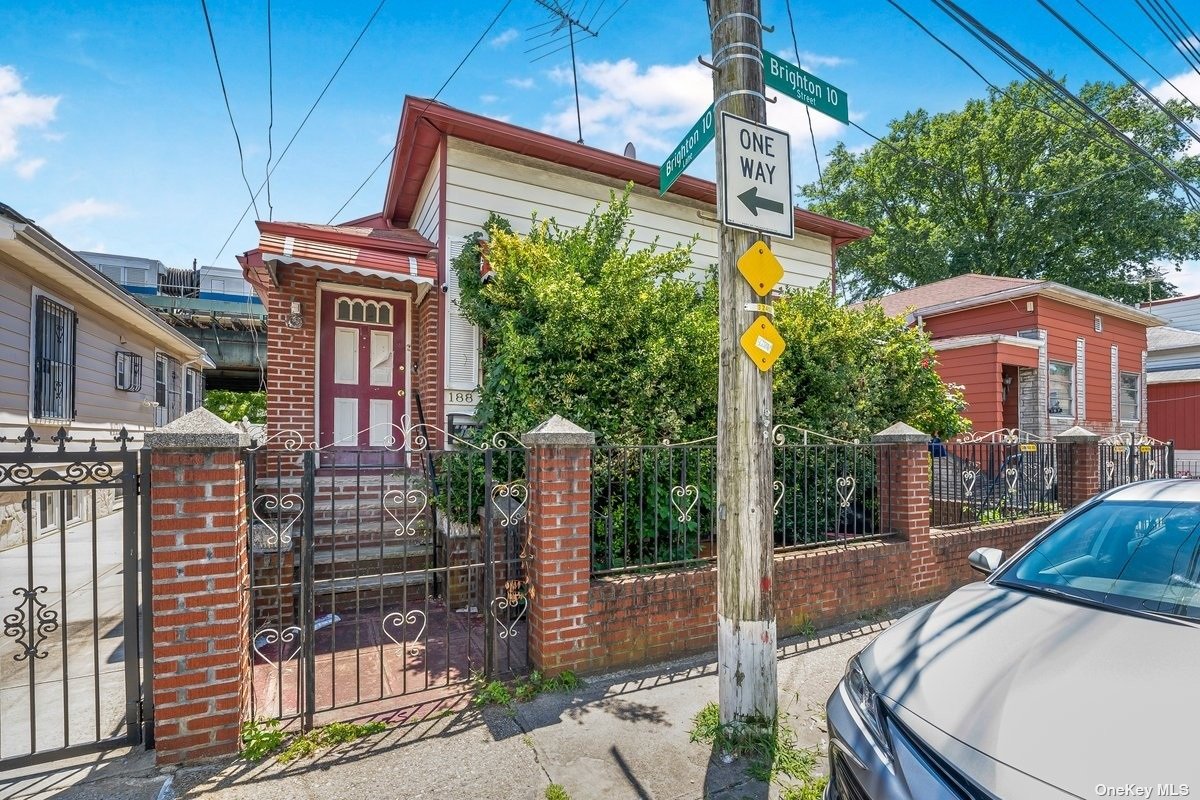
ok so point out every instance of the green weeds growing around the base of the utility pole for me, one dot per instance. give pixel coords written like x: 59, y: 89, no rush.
x: 770, y: 749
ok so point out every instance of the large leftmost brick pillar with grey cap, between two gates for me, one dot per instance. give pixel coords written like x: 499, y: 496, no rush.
x: 200, y: 568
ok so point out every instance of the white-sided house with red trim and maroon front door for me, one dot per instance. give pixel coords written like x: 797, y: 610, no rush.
x: 364, y: 328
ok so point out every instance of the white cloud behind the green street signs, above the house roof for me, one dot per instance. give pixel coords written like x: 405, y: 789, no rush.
x: 655, y: 107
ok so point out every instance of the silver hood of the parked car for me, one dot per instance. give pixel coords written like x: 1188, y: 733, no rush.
x: 1073, y: 696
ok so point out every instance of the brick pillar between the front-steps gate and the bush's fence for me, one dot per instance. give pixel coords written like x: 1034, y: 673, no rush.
x: 561, y: 543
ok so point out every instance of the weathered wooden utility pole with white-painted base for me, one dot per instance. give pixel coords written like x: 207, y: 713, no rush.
x: 746, y: 605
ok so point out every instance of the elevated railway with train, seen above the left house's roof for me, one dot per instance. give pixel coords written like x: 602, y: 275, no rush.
x: 214, y: 306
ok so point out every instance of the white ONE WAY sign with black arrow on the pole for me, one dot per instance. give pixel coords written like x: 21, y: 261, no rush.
x: 757, y: 187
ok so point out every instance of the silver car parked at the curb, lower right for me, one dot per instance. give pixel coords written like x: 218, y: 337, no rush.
x: 1072, y: 672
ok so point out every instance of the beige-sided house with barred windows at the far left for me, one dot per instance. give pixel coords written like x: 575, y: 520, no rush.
x: 77, y: 352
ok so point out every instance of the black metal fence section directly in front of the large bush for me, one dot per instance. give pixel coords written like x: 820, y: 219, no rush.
x: 655, y: 507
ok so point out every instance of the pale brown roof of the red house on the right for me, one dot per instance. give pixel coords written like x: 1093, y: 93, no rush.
x: 973, y: 290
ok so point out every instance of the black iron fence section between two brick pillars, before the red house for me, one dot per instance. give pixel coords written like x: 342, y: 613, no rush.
x: 994, y: 478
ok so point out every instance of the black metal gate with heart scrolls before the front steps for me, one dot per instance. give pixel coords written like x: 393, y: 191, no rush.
x: 385, y: 573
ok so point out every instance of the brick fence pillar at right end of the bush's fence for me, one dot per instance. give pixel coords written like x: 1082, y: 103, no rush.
x: 905, y: 502
